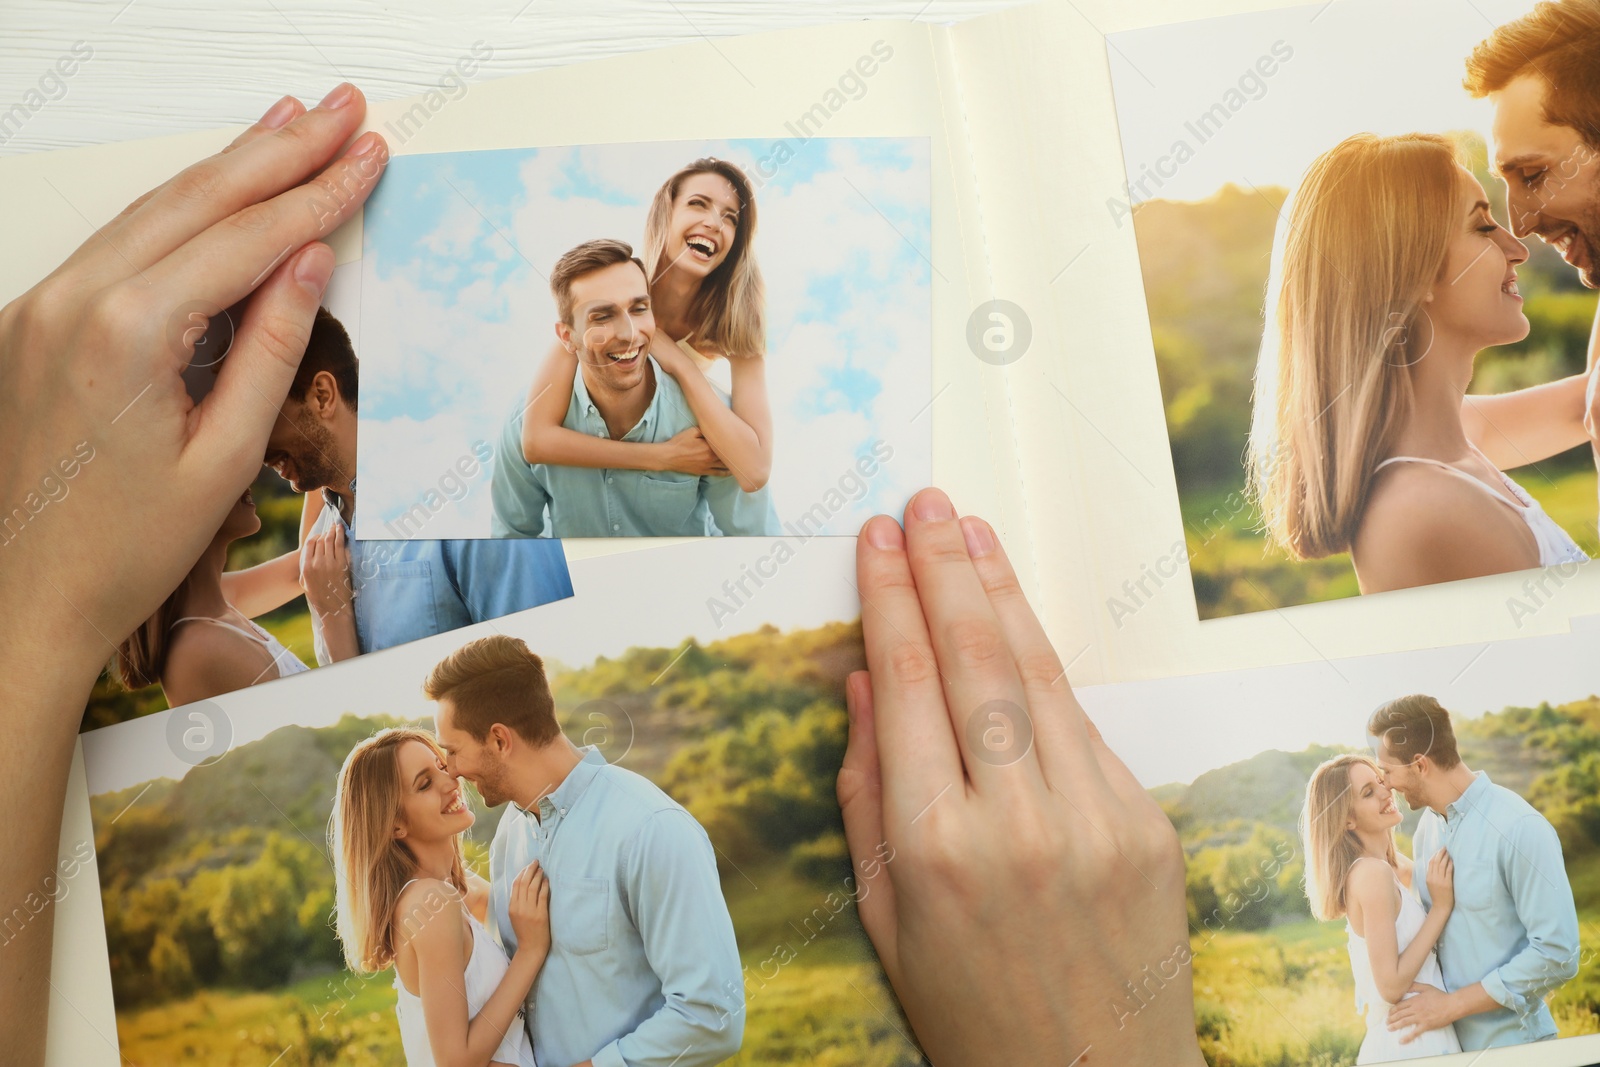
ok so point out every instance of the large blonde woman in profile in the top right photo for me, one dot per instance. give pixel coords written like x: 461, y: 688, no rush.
x: 1394, y: 278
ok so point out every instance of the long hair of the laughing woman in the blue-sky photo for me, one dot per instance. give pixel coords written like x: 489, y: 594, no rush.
x: 730, y: 310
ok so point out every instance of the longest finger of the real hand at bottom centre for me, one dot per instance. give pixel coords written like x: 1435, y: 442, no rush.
x: 983, y: 690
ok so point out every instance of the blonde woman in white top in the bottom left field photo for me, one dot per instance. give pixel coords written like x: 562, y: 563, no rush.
x: 406, y: 900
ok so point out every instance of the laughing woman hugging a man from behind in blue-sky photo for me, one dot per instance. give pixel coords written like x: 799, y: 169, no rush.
x: 710, y: 303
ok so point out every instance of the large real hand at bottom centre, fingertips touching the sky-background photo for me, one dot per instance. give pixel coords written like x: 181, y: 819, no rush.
x: 1012, y: 873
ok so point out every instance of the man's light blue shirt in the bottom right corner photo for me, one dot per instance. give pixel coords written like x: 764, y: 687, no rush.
x: 1514, y: 927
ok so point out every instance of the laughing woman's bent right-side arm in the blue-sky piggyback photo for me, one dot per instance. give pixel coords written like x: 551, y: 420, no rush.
x: 743, y: 436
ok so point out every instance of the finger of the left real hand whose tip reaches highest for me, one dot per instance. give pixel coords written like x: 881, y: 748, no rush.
x: 225, y: 185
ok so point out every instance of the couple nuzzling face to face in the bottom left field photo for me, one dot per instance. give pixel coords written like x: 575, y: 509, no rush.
x: 601, y: 937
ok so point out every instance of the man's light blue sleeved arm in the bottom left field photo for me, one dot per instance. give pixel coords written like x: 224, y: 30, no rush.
x: 676, y: 901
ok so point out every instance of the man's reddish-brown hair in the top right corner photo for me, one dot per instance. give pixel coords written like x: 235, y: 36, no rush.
x: 1558, y: 42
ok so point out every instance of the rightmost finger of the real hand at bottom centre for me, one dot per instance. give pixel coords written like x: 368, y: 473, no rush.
x: 1054, y: 721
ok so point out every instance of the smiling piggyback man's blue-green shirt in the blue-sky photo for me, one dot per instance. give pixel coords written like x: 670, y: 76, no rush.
x: 606, y: 503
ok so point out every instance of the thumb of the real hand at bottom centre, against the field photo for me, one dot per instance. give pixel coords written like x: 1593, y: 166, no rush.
x: 860, y: 791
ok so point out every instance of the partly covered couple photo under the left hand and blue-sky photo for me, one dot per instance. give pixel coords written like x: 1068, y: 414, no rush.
x: 284, y: 588
